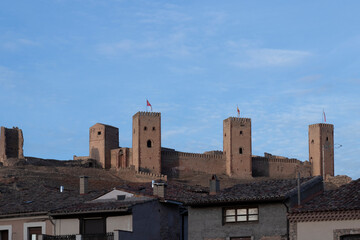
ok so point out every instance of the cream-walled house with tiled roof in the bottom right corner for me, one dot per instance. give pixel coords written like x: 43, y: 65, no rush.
x: 333, y: 215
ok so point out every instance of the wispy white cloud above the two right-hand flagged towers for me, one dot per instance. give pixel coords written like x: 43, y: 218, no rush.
x: 266, y: 57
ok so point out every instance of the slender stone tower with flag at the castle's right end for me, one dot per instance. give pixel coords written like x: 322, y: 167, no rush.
x: 321, y: 149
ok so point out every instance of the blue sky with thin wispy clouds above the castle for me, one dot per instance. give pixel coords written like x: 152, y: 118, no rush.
x: 68, y: 64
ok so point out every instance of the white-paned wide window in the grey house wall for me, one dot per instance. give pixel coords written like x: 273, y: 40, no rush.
x: 241, y: 214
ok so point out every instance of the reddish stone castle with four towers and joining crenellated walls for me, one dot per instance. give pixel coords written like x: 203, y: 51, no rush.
x: 236, y: 159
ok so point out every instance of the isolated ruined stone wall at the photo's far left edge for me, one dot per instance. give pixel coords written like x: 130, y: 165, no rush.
x: 11, y: 143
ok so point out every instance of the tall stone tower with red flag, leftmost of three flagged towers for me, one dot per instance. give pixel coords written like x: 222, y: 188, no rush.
x: 146, y: 145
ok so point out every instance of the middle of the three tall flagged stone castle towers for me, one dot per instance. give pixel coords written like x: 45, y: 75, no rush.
x: 237, y: 147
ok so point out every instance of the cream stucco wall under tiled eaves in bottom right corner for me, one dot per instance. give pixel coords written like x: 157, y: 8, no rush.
x: 323, y: 230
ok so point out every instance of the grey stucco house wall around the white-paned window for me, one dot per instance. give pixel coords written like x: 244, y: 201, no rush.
x: 206, y: 223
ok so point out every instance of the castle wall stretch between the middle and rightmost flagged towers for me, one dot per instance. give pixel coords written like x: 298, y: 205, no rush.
x: 279, y: 167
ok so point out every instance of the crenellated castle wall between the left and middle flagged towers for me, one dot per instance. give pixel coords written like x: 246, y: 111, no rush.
x: 174, y: 162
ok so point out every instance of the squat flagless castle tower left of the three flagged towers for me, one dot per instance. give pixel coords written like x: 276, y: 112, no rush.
x: 103, y: 138
